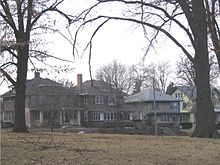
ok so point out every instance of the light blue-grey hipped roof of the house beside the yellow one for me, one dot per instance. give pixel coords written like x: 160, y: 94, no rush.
x: 148, y: 96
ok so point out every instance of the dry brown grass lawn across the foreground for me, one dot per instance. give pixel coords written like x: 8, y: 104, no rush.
x: 70, y: 148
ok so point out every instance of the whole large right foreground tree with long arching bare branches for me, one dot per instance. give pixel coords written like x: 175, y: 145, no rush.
x: 190, y: 18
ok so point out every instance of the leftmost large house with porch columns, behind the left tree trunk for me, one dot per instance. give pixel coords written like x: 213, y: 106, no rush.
x: 47, y: 102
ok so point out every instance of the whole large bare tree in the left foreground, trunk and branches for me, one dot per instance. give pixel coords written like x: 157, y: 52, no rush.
x: 21, y: 19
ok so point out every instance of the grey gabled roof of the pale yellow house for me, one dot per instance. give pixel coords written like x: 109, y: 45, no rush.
x: 189, y: 91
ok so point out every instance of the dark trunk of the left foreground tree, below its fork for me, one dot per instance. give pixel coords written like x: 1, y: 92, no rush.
x: 20, y: 125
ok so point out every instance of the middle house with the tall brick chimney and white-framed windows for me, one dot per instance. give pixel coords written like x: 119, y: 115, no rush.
x: 101, y: 105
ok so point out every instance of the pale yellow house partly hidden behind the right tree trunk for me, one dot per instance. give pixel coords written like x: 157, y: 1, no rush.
x: 187, y: 95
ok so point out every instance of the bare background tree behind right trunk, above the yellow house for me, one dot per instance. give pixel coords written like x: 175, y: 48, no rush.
x: 186, y: 73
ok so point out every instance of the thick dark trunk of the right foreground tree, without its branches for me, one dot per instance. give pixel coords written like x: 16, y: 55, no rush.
x: 205, y: 116
